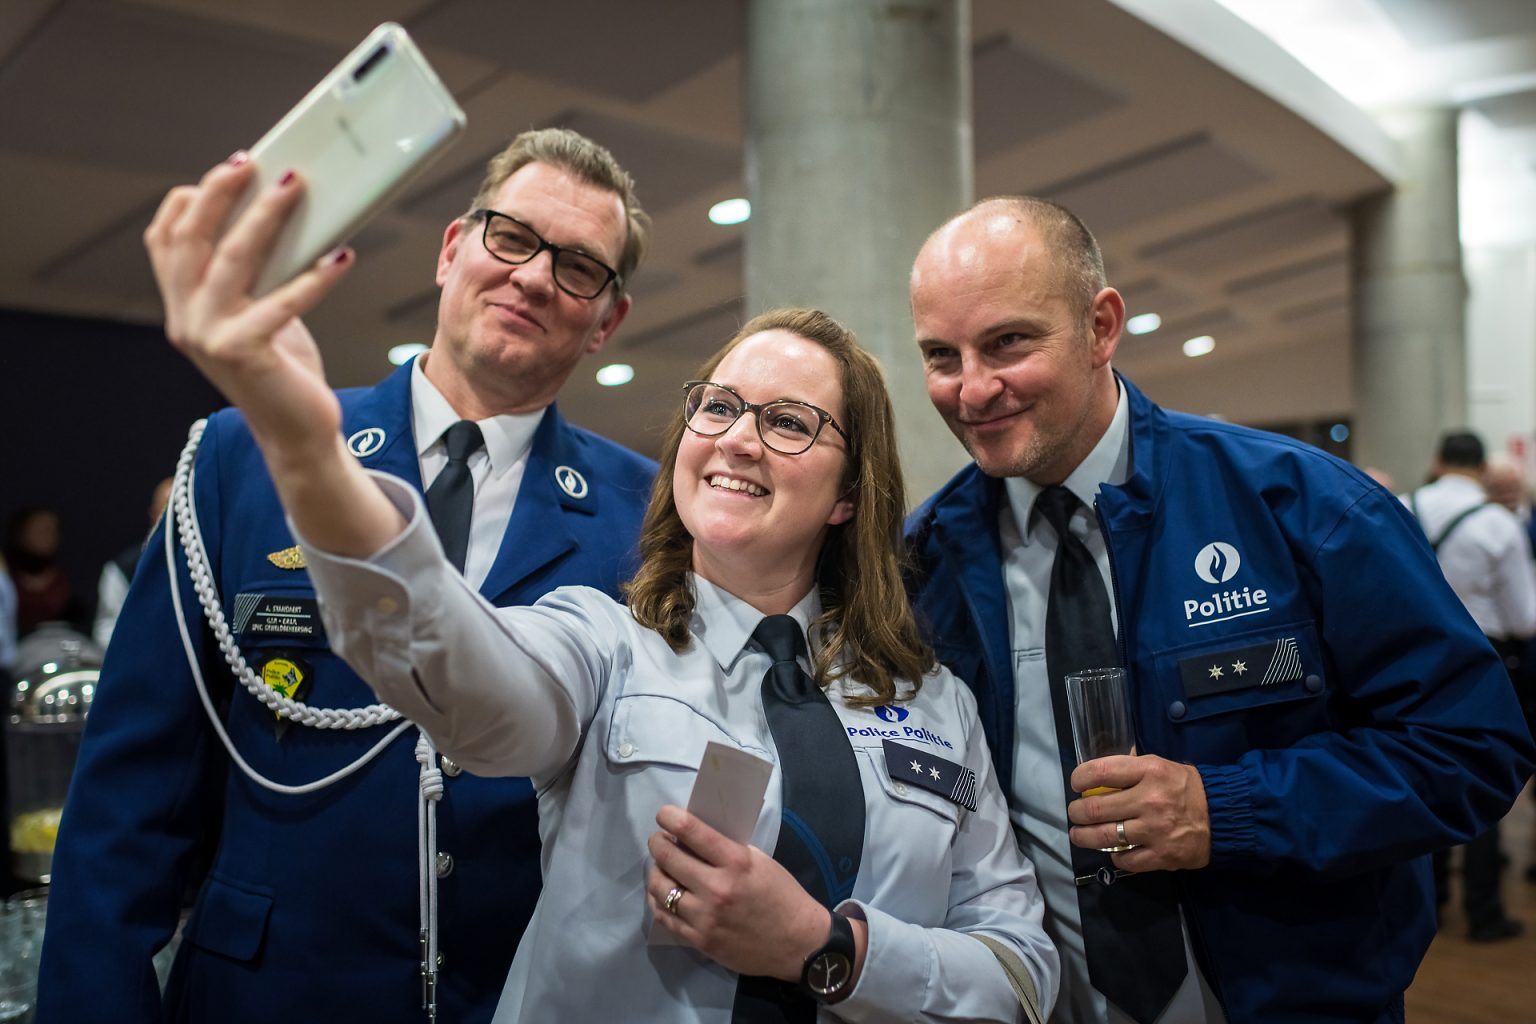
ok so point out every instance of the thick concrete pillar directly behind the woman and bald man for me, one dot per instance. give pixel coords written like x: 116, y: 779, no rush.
x: 858, y: 147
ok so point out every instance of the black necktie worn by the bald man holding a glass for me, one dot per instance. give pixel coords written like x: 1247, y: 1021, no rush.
x: 1136, y: 951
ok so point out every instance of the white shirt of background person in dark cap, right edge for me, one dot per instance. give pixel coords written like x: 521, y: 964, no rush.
x: 1488, y: 558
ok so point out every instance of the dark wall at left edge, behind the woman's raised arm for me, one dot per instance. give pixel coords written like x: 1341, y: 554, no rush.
x: 93, y: 415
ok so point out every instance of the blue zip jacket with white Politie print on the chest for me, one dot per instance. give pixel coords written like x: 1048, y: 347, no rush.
x: 1369, y: 721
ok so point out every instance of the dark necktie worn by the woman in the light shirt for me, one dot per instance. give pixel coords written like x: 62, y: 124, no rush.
x: 821, y: 836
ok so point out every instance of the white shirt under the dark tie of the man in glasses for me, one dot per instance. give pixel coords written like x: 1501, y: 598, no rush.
x: 497, y: 469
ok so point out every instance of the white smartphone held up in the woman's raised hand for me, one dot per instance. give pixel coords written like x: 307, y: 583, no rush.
x: 371, y: 127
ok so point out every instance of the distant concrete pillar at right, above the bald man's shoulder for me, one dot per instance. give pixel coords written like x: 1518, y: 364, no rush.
x: 1409, y: 342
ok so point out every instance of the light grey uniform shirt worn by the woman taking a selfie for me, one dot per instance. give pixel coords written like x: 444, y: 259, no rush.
x: 612, y: 724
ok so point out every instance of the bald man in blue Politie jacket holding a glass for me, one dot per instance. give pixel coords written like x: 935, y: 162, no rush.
x: 1314, y: 709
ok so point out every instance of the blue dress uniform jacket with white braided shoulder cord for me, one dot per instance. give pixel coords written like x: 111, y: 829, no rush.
x: 310, y: 910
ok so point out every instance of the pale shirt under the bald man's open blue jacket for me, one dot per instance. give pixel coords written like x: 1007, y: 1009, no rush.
x: 1039, y: 810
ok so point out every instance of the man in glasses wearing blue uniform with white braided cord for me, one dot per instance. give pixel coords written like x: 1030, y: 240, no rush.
x: 323, y: 907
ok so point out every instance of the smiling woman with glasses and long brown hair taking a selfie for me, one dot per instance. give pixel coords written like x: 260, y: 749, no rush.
x: 767, y: 618
